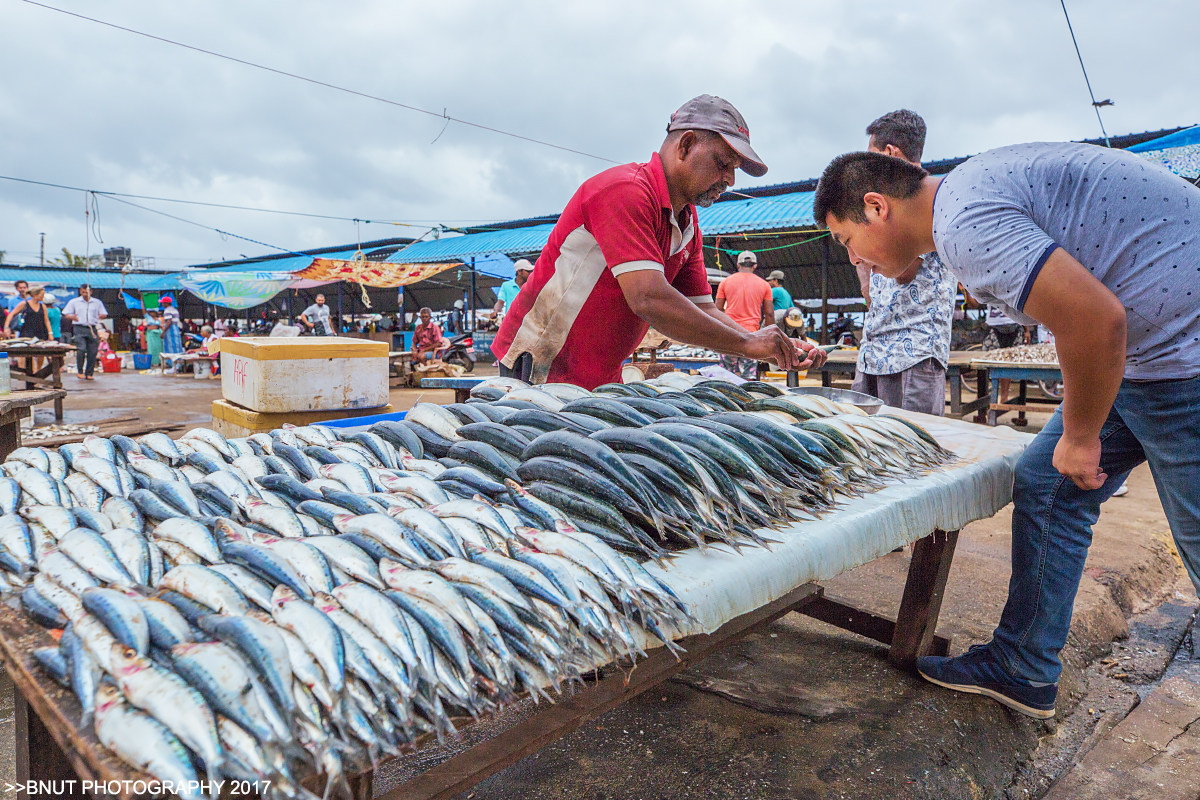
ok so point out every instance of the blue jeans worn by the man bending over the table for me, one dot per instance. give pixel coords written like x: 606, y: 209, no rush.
x: 1053, y: 519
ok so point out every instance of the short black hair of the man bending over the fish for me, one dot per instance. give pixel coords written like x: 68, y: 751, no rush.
x: 850, y: 177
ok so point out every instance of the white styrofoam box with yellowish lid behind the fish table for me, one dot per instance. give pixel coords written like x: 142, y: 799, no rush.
x: 277, y: 376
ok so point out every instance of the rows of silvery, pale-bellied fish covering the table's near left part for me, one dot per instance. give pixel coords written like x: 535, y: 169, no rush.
x: 302, y: 604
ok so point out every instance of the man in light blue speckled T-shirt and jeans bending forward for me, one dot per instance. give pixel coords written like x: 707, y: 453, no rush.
x: 1103, y: 249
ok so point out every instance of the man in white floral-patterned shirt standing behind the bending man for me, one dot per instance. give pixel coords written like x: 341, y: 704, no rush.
x: 907, y: 336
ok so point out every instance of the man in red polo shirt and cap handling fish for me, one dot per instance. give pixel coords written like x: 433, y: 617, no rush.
x: 627, y: 254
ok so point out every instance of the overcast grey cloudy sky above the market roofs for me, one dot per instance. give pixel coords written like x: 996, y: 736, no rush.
x: 89, y: 106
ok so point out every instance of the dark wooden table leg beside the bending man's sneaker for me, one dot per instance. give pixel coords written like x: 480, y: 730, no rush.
x: 922, y: 601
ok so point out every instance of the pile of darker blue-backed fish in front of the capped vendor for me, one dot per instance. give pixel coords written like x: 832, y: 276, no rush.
x: 674, y: 462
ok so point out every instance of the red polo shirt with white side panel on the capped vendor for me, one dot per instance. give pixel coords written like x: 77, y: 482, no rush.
x: 572, y: 315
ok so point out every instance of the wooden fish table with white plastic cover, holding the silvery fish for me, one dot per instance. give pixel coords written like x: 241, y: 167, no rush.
x: 730, y: 594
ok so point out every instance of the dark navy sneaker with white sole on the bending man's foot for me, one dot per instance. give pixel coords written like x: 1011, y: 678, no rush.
x: 979, y: 672
